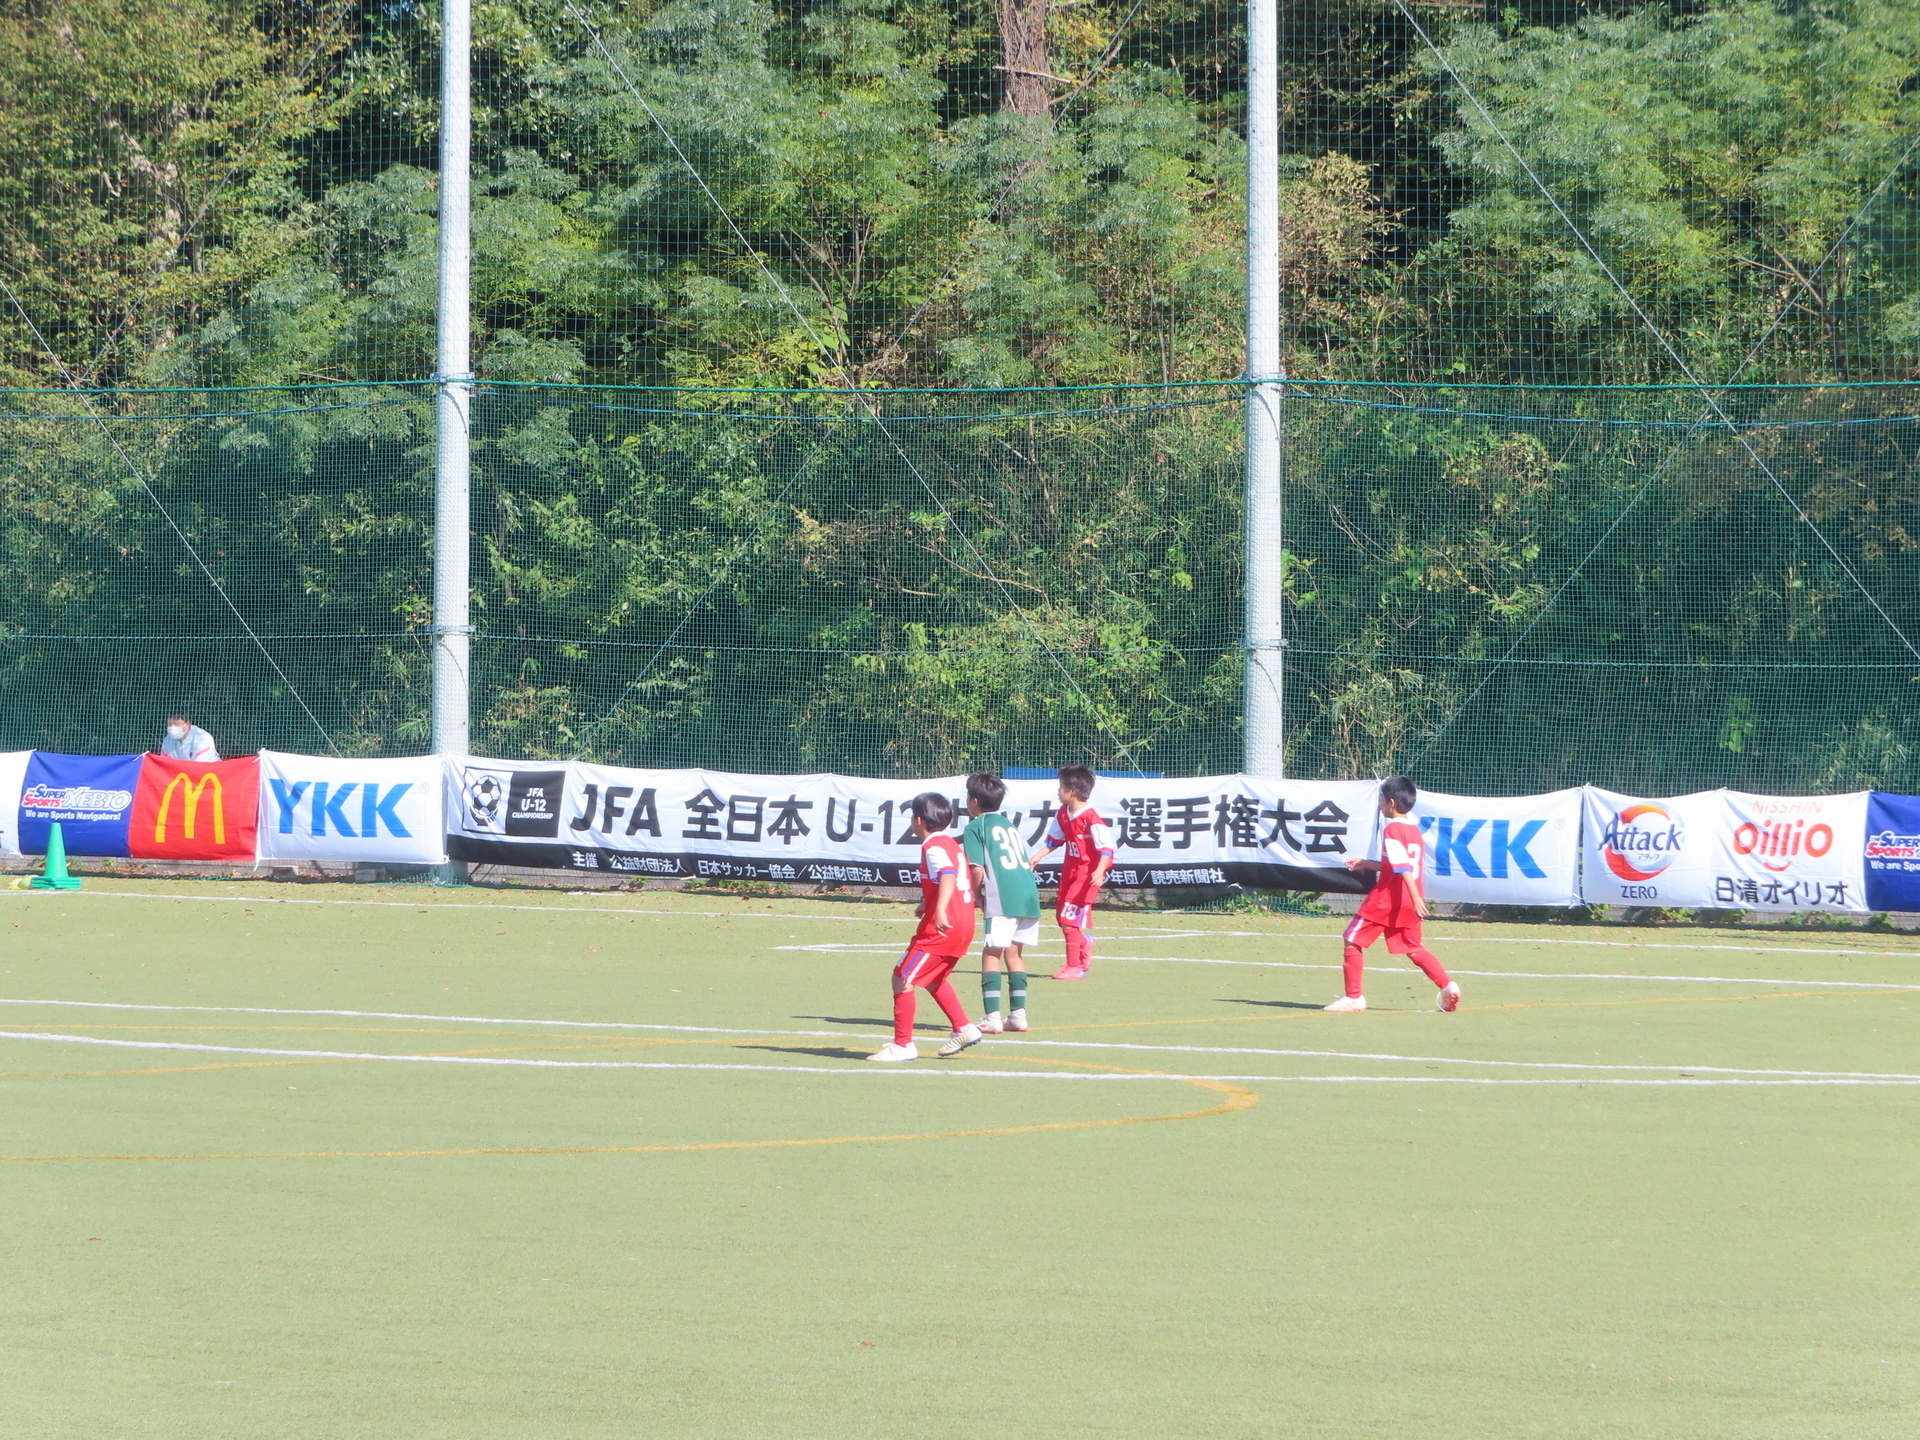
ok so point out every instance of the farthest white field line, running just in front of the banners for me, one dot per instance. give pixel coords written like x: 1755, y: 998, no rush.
x: 905, y: 921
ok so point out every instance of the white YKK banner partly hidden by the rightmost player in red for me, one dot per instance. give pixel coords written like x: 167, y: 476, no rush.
x: 1516, y: 852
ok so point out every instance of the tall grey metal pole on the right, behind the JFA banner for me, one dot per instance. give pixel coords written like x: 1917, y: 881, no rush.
x: 1266, y: 638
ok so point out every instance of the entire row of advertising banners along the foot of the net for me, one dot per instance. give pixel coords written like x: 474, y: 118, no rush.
x: 1716, y: 850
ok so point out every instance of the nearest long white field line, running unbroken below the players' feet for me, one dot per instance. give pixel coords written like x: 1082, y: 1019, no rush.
x: 957, y: 1072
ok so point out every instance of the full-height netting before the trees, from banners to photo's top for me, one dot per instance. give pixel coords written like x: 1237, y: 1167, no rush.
x: 857, y: 385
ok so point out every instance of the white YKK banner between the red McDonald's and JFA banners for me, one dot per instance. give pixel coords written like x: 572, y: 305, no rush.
x: 372, y: 811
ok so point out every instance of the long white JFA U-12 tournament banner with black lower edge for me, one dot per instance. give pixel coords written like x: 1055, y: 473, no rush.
x: 840, y: 828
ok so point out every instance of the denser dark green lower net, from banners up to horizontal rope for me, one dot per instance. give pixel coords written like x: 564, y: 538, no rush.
x: 1493, y: 588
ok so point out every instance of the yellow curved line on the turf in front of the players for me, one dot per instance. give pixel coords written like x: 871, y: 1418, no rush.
x: 1234, y: 1101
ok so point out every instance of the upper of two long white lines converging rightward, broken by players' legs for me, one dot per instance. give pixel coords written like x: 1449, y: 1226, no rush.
x: 1020, y: 1042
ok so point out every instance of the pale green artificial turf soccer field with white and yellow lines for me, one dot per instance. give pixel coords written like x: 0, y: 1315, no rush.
x: 400, y: 1163
